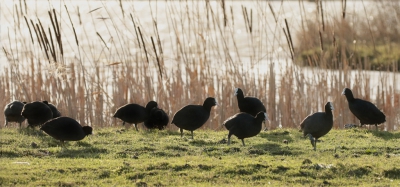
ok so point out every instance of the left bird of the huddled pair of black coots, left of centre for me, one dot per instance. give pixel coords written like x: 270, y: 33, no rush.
x: 134, y: 113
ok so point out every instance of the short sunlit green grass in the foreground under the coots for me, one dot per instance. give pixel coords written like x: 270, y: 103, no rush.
x: 115, y: 157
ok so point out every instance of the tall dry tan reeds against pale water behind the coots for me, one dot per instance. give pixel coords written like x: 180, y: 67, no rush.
x: 89, y: 69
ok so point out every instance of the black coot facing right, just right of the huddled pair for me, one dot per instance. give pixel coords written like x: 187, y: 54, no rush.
x: 192, y: 117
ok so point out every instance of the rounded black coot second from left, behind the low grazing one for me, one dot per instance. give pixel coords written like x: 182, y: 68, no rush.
x: 36, y: 113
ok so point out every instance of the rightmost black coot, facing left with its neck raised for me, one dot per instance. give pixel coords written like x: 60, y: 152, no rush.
x: 365, y: 111
